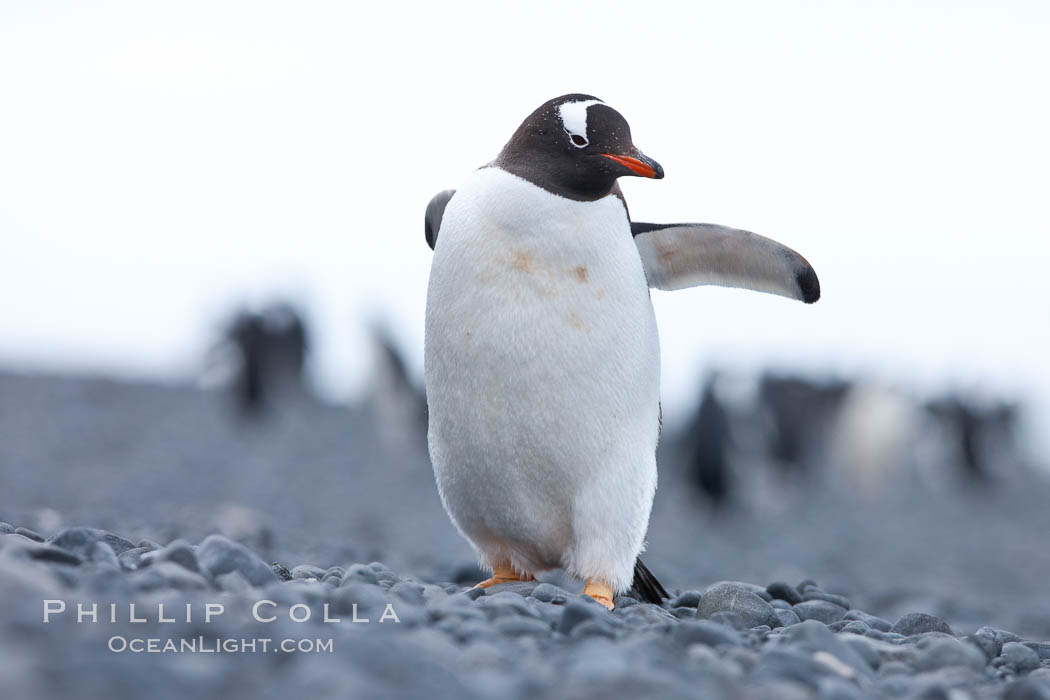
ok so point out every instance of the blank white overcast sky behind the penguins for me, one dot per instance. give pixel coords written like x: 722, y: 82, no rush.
x: 160, y: 162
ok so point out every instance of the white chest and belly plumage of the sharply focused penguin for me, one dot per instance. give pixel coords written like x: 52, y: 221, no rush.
x: 542, y: 365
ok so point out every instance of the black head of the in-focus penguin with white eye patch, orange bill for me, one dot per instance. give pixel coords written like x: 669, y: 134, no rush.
x: 576, y: 146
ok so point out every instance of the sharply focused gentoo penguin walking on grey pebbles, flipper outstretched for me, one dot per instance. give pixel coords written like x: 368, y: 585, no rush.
x: 542, y: 358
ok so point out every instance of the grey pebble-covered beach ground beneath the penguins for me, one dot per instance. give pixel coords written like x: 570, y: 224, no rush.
x: 282, y: 519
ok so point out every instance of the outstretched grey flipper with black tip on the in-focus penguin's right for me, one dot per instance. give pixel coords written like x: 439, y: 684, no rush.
x: 681, y: 256
